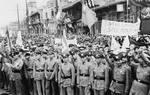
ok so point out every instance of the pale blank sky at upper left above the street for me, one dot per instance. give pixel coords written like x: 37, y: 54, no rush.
x: 8, y: 10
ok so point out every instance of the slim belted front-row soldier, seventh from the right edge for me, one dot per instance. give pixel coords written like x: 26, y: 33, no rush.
x: 38, y: 73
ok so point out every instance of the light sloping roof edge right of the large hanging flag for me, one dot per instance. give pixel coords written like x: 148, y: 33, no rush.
x: 109, y: 4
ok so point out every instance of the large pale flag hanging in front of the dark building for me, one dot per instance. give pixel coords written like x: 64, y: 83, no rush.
x: 88, y: 16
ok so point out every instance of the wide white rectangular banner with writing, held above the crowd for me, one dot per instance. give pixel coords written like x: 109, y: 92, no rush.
x: 119, y: 28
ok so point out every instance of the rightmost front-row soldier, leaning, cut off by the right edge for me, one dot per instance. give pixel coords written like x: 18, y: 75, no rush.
x: 140, y: 85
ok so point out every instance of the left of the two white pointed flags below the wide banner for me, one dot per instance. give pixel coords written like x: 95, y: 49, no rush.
x: 115, y: 46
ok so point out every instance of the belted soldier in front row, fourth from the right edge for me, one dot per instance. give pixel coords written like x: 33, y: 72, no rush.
x: 83, y: 75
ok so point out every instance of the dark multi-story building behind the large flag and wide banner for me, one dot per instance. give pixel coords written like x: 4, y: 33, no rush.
x: 115, y: 10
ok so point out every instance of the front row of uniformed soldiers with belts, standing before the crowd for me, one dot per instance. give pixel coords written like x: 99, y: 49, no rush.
x: 78, y: 71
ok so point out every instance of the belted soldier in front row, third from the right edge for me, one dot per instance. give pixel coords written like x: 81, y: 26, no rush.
x: 100, y: 75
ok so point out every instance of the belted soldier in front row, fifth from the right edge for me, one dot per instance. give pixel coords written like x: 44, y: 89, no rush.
x: 66, y: 76
